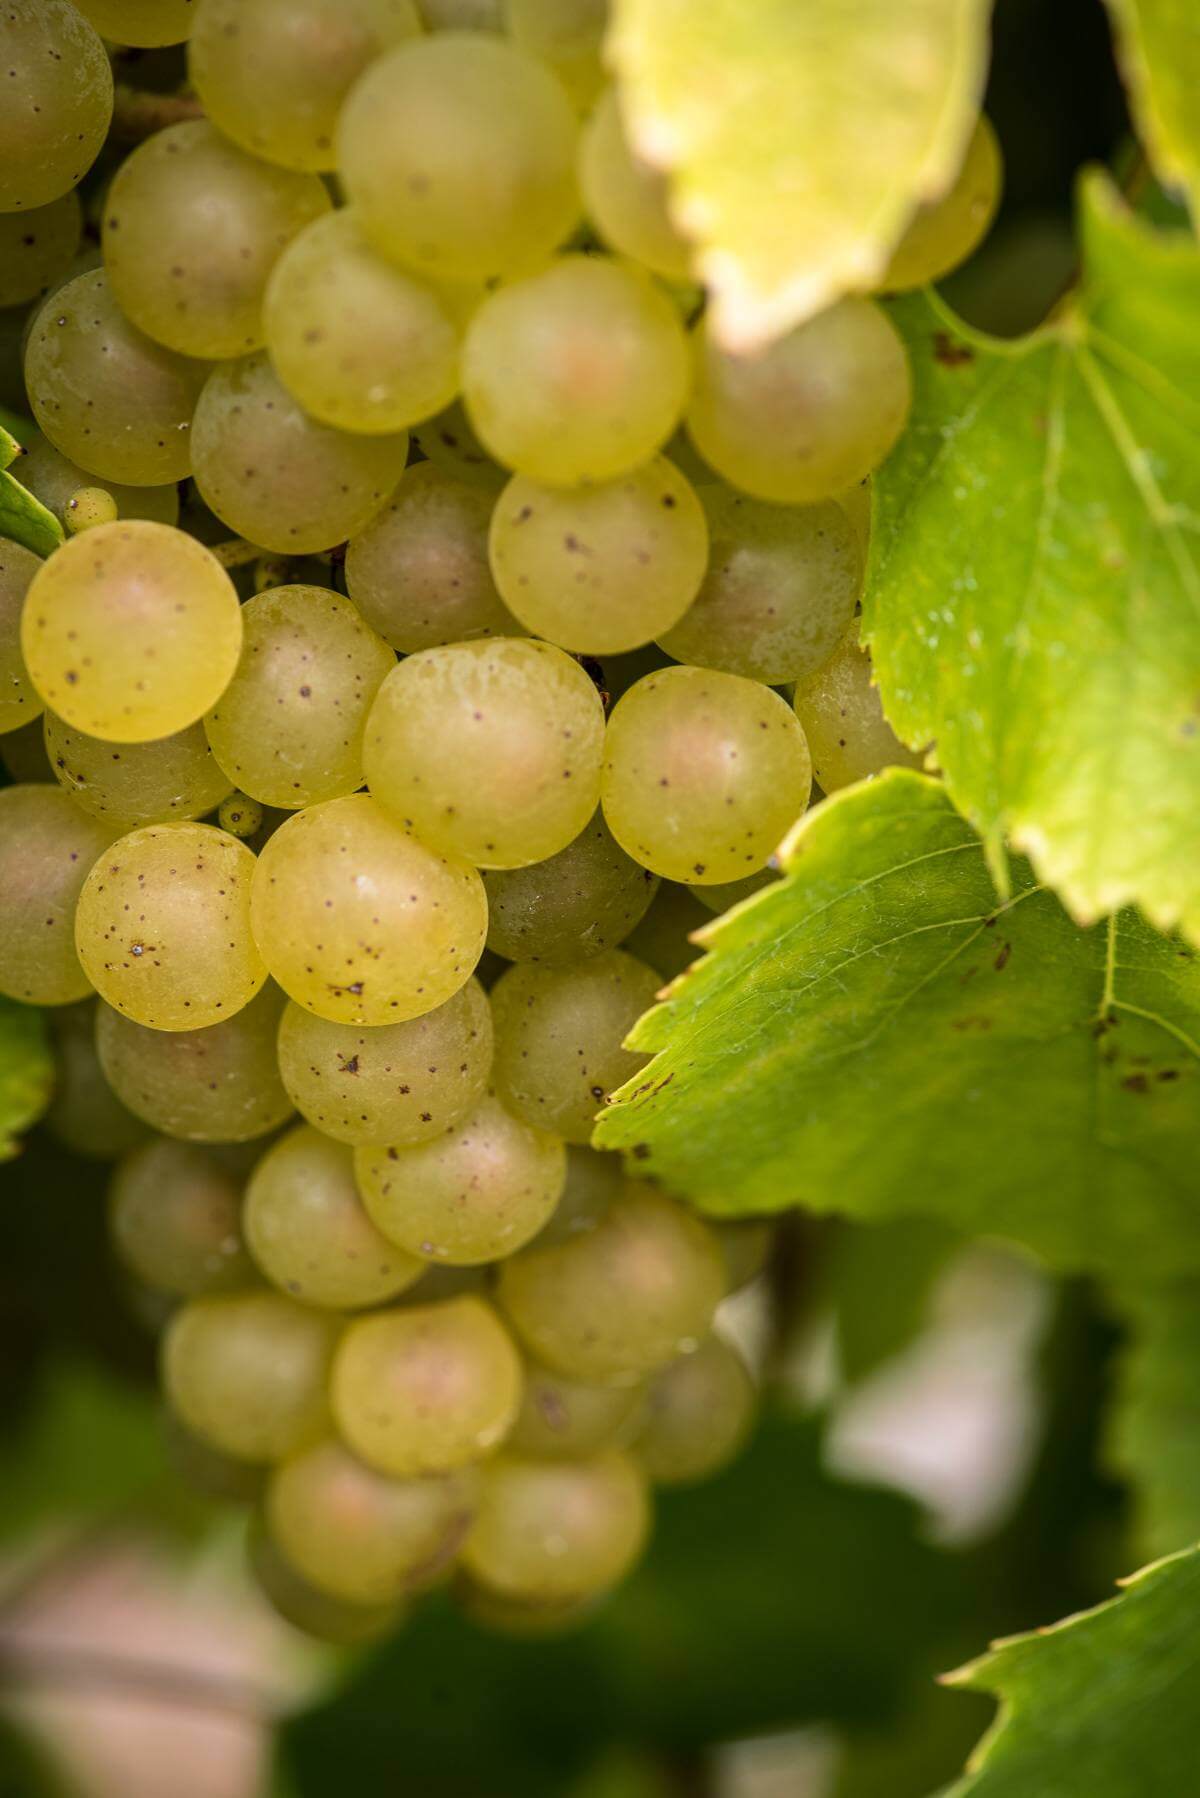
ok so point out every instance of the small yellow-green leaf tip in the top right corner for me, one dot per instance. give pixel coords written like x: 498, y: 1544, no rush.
x: 1160, y: 53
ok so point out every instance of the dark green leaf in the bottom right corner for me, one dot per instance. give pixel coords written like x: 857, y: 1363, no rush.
x: 1102, y: 1705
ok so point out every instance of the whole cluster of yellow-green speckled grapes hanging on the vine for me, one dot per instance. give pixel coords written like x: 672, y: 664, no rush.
x: 395, y: 812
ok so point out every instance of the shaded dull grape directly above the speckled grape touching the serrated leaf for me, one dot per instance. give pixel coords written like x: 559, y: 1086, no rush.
x: 782, y: 589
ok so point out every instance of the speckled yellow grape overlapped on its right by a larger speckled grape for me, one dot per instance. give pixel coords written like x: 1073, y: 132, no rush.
x: 163, y: 927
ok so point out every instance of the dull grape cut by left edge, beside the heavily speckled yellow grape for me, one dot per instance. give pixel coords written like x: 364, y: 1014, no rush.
x: 46, y: 851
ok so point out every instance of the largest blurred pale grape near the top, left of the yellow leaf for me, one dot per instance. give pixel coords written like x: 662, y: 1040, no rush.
x: 460, y: 156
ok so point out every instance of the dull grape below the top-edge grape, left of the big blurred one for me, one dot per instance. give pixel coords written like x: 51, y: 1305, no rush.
x: 193, y: 229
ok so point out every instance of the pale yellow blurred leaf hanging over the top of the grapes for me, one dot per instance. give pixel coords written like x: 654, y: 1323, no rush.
x: 798, y: 136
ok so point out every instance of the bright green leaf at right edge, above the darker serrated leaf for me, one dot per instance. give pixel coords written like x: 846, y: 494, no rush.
x: 1035, y: 598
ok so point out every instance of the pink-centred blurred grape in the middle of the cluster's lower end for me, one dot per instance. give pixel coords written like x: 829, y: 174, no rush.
x: 425, y: 1389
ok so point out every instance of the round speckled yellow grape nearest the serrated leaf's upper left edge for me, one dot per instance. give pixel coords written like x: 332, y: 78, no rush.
x: 704, y: 774
